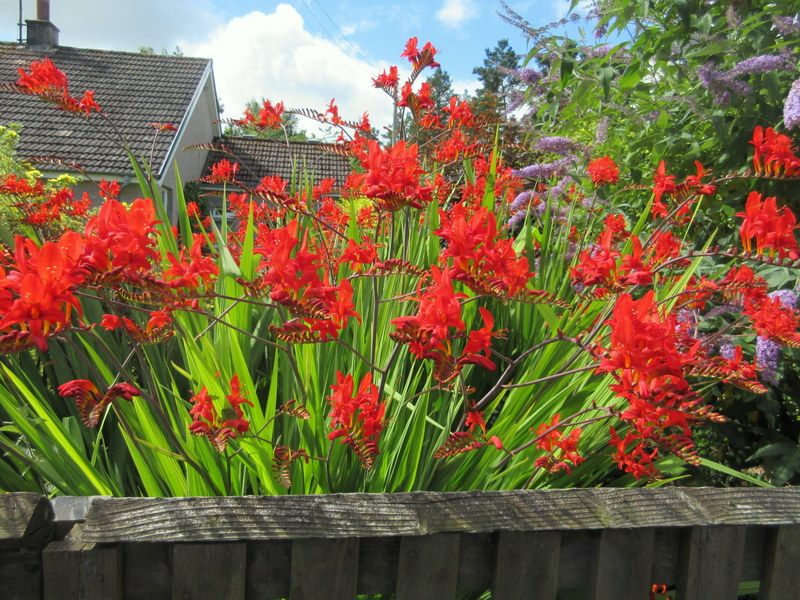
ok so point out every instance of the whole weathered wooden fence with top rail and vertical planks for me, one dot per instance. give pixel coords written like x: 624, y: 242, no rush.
x: 596, y: 544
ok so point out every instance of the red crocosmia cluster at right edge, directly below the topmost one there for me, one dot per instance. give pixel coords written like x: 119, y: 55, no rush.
x: 772, y: 228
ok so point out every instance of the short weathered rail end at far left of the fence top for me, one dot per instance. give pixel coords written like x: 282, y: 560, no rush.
x: 25, y: 519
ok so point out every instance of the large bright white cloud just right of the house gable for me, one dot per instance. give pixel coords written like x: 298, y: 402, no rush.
x: 275, y: 57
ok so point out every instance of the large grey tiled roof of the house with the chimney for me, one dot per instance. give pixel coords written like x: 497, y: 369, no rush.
x: 134, y: 89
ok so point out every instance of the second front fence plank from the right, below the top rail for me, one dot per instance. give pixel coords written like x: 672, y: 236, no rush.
x: 711, y: 563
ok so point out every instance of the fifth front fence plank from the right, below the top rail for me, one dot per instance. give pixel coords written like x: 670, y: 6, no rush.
x: 428, y: 567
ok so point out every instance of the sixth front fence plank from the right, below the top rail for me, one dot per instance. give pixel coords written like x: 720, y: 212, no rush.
x: 324, y: 569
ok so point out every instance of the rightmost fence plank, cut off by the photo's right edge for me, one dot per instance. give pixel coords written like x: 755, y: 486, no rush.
x: 781, y: 572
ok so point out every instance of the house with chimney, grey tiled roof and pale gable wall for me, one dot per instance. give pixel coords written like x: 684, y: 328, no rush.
x: 135, y: 90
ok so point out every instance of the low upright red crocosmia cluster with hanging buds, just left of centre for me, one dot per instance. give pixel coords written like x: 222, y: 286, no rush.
x: 357, y: 419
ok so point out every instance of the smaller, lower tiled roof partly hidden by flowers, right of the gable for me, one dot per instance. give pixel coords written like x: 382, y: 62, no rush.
x: 259, y: 158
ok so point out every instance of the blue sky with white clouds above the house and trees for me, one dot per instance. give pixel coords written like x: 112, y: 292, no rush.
x: 301, y: 52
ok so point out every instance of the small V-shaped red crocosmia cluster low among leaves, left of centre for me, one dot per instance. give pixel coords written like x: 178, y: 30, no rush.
x: 219, y: 425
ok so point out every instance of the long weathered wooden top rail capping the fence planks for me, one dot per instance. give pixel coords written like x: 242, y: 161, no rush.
x: 420, y: 513
